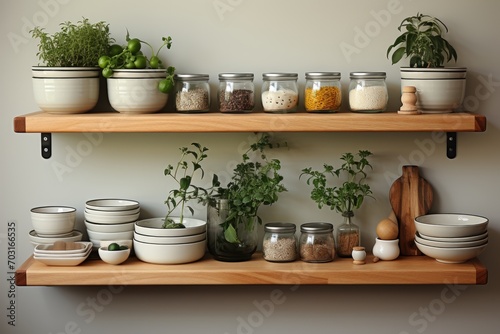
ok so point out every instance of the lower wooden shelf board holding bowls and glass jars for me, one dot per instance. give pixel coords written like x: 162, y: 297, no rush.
x: 405, y: 270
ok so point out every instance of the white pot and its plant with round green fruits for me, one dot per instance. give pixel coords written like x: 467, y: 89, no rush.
x: 137, y: 83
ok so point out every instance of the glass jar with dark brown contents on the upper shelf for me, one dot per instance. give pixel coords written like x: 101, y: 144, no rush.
x: 236, y: 92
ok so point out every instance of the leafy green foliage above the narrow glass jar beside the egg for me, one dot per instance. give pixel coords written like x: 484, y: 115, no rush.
x: 345, y: 195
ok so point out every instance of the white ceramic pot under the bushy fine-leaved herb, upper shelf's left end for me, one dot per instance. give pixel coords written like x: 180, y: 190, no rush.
x: 65, y: 90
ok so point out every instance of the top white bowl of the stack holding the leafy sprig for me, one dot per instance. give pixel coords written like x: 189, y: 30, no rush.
x: 152, y: 227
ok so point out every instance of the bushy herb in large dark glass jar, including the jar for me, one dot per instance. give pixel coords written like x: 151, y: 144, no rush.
x: 232, y: 214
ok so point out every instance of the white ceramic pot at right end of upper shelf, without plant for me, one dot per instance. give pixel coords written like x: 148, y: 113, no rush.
x: 439, y: 90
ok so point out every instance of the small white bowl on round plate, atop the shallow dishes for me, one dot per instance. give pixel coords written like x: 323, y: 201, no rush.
x: 52, y: 224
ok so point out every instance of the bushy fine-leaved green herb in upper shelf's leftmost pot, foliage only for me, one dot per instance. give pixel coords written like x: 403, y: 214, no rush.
x: 75, y: 45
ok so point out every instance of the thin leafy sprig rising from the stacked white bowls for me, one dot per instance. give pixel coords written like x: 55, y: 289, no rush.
x: 182, y: 173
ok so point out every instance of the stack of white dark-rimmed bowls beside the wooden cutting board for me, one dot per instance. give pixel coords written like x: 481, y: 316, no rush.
x: 451, y: 238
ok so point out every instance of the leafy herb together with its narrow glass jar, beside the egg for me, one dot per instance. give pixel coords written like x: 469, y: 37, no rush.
x: 344, y: 194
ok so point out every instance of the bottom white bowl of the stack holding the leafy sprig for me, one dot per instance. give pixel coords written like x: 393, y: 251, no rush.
x: 170, y: 254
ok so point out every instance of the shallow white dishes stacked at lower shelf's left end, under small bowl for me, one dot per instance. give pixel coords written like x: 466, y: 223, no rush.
x: 63, y: 253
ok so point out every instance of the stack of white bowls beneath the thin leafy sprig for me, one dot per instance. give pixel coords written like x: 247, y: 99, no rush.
x: 155, y: 244
